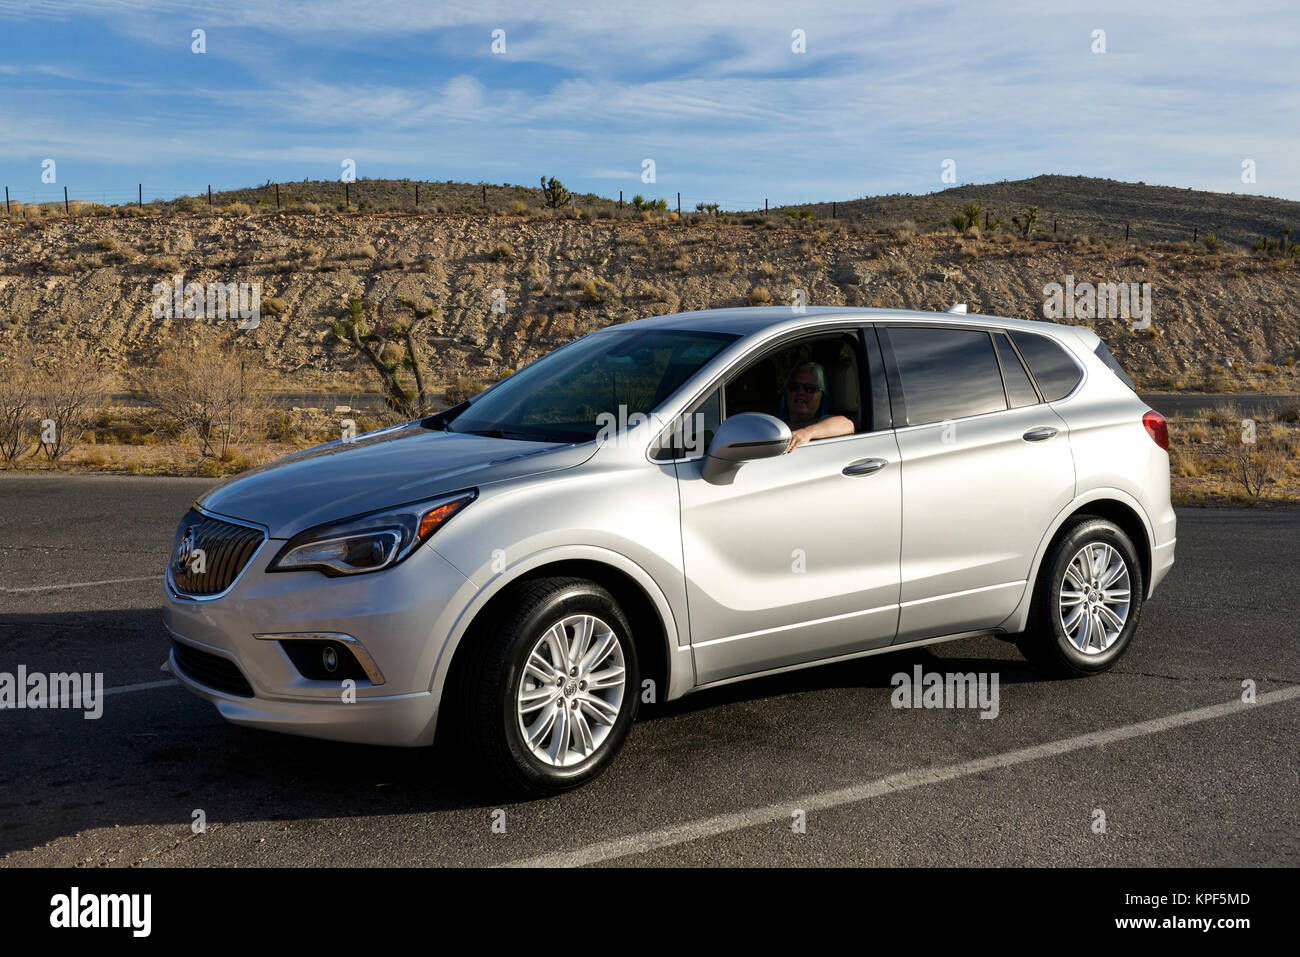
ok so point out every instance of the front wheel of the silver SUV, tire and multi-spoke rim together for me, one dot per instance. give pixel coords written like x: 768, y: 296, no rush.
x: 548, y: 691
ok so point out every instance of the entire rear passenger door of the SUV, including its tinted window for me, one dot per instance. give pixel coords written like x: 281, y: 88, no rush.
x: 986, y: 469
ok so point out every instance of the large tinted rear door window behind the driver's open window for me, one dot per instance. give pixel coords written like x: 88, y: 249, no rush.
x: 947, y: 374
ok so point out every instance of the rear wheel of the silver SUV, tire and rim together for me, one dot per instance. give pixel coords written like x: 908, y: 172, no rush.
x: 1087, y: 601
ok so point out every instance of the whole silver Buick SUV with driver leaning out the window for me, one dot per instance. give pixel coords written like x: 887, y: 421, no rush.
x: 670, y: 505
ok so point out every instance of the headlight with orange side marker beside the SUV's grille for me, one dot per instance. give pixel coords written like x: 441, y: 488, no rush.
x: 369, y: 543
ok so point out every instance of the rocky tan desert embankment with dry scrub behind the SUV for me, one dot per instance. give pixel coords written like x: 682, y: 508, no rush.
x: 1223, y: 321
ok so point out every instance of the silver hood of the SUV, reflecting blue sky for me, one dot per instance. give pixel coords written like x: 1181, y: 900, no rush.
x: 379, y: 470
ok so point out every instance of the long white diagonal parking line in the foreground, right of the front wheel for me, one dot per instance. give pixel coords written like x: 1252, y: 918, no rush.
x: 725, y: 824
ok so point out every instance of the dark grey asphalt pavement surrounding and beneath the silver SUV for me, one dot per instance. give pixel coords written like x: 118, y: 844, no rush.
x: 124, y: 790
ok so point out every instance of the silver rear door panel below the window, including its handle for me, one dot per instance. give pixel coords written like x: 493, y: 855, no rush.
x: 978, y: 497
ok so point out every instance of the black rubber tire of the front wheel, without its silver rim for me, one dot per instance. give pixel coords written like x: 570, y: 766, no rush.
x: 492, y: 666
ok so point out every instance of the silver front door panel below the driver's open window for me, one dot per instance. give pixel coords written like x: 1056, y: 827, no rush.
x: 795, y: 561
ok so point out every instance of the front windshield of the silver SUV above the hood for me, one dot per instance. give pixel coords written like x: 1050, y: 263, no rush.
x: 578, y: 391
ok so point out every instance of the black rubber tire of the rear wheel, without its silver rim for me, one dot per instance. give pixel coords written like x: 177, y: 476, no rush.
x: 1046, y: 642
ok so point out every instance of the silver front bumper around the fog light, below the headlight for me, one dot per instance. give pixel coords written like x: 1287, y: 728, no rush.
x: 401, y: 617
